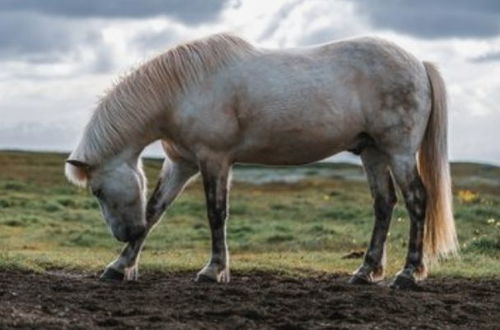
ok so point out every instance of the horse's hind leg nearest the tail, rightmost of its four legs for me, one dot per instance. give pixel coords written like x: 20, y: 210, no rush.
x: 405, y: 172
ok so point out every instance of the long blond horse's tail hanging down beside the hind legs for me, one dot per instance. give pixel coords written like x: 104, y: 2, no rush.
x: 440, y: 238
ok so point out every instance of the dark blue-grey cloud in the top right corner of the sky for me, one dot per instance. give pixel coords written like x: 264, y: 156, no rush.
x: 435, y: 19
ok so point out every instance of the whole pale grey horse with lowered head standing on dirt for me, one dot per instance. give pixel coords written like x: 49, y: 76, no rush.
x: 218, y: 101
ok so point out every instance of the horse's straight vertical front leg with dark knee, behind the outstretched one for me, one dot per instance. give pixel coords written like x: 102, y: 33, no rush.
x: 215, y: 181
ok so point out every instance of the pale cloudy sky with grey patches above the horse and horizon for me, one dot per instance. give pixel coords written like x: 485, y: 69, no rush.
x: 58, y: 57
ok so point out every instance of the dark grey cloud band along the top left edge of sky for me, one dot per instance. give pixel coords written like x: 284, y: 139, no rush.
x: 192, y: 11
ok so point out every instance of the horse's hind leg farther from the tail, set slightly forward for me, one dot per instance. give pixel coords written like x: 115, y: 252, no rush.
x: 382, y: 191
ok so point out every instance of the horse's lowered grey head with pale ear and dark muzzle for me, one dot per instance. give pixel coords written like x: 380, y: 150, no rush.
x: 120, y: 189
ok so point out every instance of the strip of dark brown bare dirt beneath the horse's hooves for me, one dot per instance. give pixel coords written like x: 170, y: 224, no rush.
x: 258, y: 300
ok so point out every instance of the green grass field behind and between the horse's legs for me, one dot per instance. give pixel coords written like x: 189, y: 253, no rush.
x: 292, y: 220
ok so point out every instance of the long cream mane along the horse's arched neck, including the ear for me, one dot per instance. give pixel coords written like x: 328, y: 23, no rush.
x: 139, y: 97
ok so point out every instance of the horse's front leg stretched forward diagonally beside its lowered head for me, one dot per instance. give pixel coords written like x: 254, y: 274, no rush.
x: 173, y: 178
